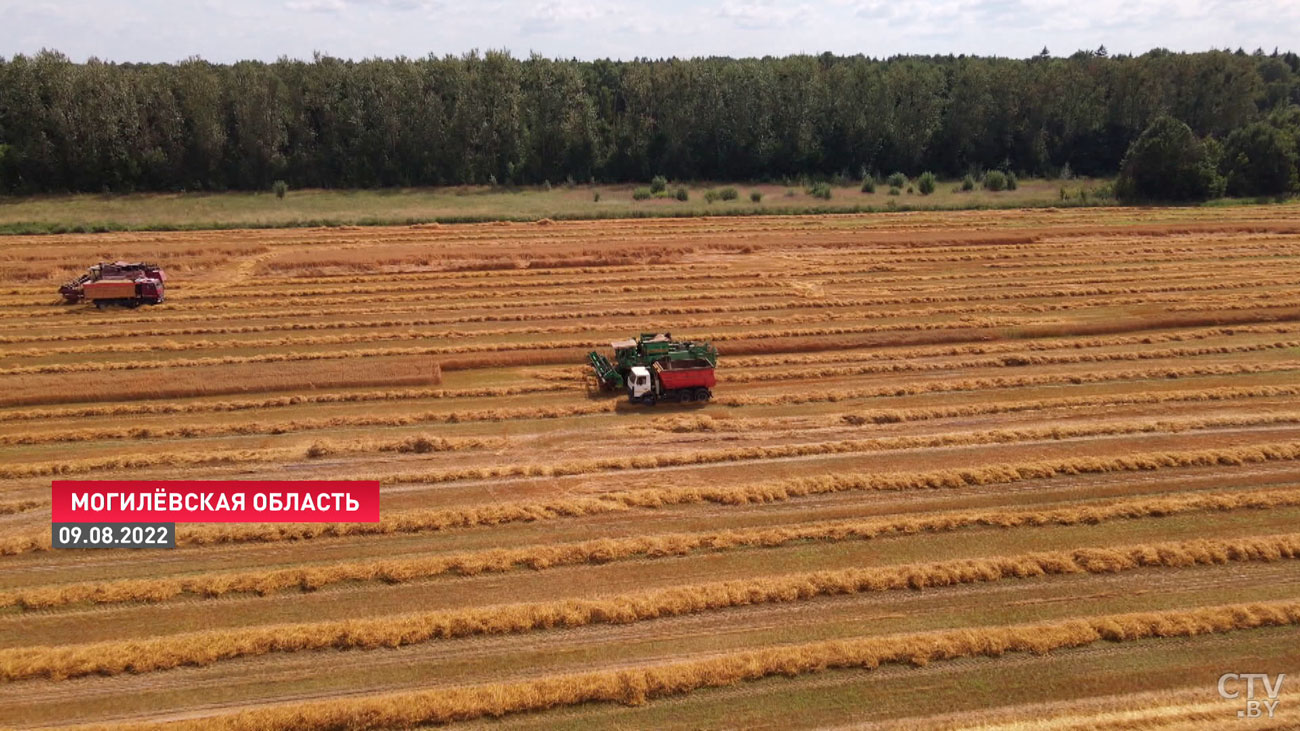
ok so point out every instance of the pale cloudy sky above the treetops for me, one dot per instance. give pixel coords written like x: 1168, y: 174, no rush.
x: 229, y: 31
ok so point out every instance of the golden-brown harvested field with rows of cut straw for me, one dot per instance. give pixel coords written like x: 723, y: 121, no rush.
x: 989, y: 466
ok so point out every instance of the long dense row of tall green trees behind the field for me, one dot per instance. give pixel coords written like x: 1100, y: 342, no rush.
x: 495, y: 119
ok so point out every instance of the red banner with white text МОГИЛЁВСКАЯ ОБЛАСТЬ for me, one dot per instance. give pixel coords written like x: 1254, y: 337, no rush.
x: 215, y: 501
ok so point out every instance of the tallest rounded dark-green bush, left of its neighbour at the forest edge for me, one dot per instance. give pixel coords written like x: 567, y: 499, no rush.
x: 1168, y: 163
